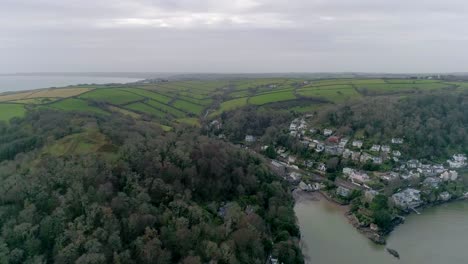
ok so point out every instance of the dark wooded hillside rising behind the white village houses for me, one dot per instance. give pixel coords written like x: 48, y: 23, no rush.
x: 433, y: 125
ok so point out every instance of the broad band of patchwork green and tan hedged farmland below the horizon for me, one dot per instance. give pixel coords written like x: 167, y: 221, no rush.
x: 192, y: 101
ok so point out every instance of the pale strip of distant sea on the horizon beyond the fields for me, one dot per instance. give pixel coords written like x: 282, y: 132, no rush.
x: 10, y: 83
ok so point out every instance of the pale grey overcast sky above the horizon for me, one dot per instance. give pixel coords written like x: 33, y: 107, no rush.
x: 234, y: 35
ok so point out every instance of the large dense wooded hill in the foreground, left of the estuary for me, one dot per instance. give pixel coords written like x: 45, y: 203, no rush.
x: 149, y: 197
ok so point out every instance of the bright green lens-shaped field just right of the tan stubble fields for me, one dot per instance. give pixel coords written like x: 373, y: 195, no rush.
x: 112, y: 96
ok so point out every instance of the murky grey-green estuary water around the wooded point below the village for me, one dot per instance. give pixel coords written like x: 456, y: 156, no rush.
x: 438, y: 236
